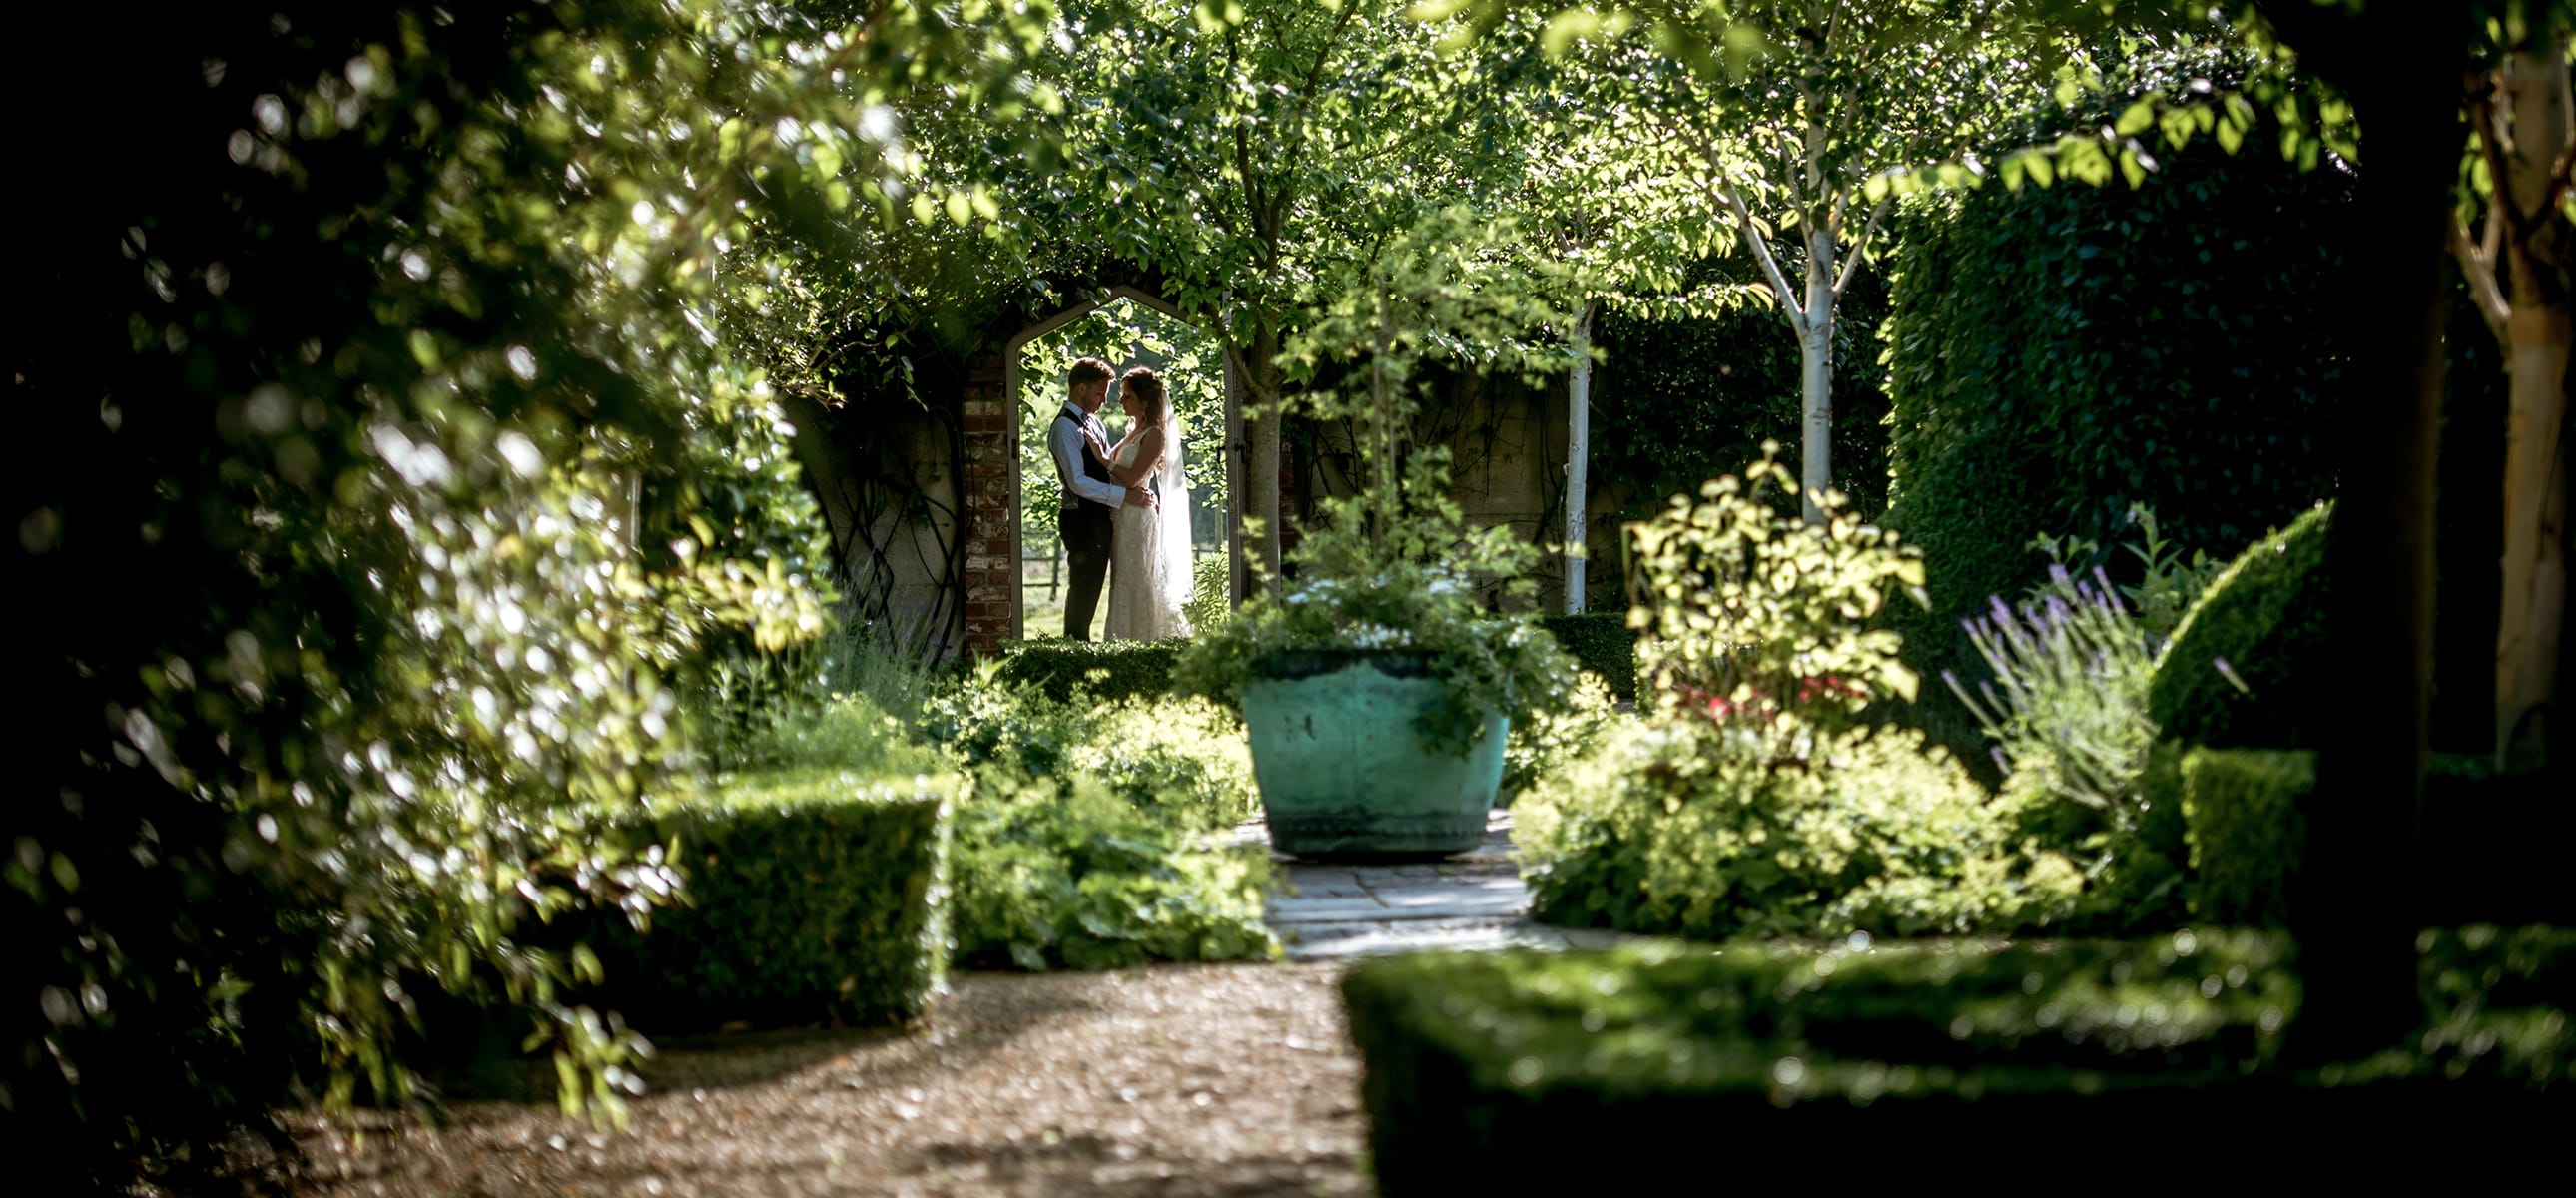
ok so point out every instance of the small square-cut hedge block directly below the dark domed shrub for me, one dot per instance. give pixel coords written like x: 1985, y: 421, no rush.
x: 2248, y: 839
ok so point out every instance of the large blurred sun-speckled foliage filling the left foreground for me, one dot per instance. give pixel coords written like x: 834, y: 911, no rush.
x: 380, y: 354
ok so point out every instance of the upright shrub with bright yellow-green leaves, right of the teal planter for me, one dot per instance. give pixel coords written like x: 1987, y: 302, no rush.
x: 1756, y: 617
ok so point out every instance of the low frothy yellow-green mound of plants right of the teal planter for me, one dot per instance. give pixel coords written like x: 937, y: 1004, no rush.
x: 1694, y: 831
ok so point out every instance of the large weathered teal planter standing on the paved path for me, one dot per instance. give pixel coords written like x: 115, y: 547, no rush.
x: 1346, y: 774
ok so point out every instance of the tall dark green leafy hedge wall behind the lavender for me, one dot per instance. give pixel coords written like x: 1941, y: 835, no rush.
x: 2060, y: 354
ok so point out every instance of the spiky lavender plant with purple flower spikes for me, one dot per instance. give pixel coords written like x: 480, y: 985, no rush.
x: 2067, y: 705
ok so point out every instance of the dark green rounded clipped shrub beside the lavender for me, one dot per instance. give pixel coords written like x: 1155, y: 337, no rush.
x: 2245, y: 666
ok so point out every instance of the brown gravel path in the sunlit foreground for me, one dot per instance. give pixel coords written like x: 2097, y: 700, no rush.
x: 1173, y: 1081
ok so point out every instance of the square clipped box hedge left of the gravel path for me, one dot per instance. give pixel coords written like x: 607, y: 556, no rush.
x: 810, y: 898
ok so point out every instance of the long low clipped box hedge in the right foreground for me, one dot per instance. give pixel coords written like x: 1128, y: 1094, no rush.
x: 1694, y: 1063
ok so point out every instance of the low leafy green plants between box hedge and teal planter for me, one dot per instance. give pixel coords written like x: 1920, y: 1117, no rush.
x: 1063, y: 872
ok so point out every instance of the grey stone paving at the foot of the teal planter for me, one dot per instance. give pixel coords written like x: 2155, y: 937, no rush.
x: 1472, y: 900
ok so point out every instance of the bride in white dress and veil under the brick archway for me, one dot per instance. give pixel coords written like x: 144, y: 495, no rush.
x: 1150, y: 547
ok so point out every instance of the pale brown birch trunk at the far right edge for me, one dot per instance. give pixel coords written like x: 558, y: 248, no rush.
x: 2536, y: 347
